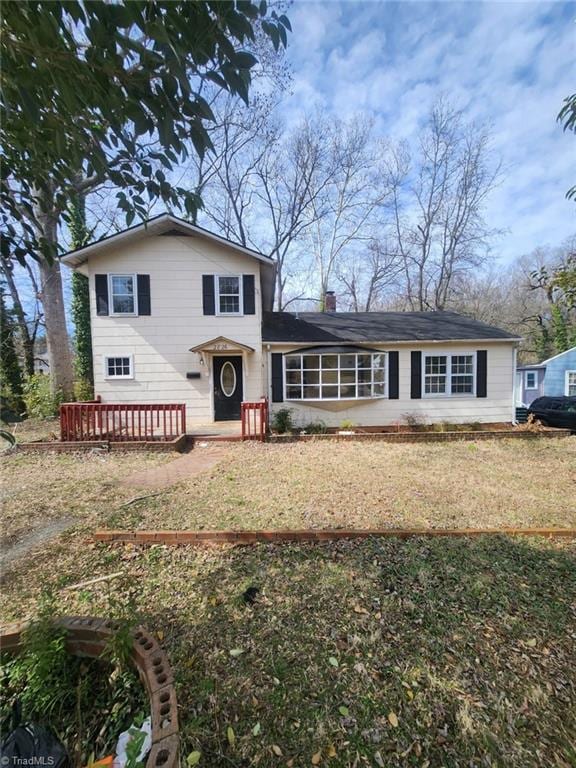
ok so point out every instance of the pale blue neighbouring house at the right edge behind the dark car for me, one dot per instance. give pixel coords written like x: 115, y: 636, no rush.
x: 553, y: 377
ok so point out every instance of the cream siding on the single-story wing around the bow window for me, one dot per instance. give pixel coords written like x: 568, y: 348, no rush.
x: 496, y: 407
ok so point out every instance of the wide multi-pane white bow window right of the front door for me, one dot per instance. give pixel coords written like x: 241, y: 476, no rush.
x: 350, y: 376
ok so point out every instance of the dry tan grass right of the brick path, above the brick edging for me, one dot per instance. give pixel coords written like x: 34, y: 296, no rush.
x: 364, y: 485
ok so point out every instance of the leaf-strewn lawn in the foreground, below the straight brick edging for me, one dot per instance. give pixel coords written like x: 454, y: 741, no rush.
x: 449, y: 652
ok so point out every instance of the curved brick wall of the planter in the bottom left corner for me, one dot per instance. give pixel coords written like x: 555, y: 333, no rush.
x: 88, y: 636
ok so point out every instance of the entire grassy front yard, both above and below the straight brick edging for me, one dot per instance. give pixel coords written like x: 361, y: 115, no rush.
x: 373, y: 653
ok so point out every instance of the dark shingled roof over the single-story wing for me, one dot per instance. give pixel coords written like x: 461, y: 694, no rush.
x: 338, y: 327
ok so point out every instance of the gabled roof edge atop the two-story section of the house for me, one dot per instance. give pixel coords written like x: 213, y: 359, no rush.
x: 163, y: 224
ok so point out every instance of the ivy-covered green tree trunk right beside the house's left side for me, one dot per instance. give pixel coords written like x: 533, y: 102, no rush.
x: 83, y: 366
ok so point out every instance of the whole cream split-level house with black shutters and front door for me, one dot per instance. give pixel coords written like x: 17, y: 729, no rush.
x: 181, y: 315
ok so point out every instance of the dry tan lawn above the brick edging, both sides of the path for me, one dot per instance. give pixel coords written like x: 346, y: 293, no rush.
x: 305, y: 485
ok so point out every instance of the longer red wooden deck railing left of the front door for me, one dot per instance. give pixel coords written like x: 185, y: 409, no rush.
x: 121, y: 422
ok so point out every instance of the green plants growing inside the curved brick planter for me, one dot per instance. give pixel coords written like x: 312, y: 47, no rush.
x: 87, y: 702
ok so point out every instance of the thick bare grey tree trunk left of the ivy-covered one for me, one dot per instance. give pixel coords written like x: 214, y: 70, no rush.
x: 61, y: 372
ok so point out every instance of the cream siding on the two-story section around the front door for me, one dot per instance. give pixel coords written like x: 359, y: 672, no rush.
x: 159, y: 343
